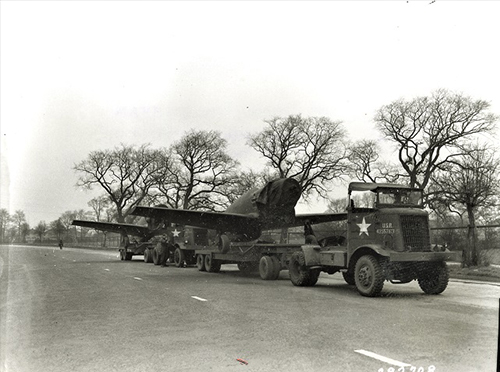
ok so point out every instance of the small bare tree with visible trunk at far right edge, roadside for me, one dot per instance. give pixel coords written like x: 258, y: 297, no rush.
x: 464, y: 185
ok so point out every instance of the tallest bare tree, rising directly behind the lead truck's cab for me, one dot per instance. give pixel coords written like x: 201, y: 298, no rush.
x: 430, y: 131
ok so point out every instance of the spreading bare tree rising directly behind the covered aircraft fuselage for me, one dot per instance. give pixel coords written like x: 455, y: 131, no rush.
x: 310, y: 150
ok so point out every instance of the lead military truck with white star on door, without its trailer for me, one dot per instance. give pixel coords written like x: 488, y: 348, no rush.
x: 387, y: 237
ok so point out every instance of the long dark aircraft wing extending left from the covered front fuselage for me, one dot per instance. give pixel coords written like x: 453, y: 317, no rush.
x: 226, y: 222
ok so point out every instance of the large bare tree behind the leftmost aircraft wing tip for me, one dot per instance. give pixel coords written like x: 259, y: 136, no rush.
x: 125, y: 174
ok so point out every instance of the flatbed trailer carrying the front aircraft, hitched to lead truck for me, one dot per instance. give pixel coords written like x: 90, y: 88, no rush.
x: 266, y: 258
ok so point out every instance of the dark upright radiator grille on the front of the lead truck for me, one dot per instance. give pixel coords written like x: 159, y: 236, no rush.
x: 415, y: 233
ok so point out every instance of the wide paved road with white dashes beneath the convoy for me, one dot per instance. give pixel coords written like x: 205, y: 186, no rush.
x: 82, y: 310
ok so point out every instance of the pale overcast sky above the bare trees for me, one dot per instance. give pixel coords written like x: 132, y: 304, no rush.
x: 84, y: 76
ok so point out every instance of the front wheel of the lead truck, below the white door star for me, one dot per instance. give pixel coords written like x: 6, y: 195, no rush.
x: 369, y: 276
